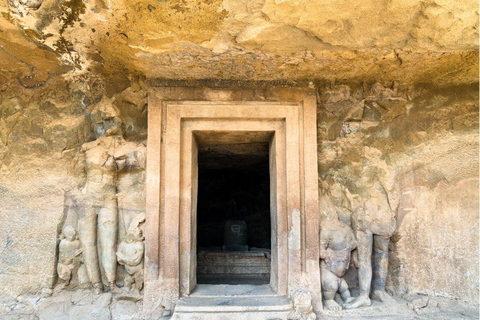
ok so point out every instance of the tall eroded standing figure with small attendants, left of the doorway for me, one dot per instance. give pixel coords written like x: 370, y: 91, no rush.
x: 98, y: 218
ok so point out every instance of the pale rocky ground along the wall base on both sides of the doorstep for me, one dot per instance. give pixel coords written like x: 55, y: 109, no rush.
x: 106, y: 306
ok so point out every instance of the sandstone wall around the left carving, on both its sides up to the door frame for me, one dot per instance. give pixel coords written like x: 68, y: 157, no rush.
x: 41, y: 134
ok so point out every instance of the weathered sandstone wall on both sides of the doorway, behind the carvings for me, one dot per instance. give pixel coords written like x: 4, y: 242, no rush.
x: 423, y: 143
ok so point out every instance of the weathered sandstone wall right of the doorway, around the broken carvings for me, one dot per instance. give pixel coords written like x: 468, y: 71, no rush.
x: 424, y: 144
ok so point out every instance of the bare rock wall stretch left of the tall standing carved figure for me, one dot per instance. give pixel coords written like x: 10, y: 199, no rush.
x: 38, y: 133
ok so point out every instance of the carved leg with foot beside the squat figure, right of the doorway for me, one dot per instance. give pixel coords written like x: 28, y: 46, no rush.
x: 364, y: 251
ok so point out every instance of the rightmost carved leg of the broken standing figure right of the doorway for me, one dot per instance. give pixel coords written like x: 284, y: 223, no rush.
x: 380, y: 266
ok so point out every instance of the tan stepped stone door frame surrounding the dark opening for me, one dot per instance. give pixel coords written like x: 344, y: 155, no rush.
x: 181, y: 121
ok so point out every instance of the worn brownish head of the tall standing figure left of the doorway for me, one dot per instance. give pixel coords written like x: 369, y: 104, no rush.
x: 105, y: 120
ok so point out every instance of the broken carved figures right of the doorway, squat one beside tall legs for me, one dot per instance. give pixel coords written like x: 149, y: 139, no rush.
x: 357, y: 224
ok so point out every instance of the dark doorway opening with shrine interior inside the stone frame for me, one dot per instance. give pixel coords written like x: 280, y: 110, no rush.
x: 233, y: 214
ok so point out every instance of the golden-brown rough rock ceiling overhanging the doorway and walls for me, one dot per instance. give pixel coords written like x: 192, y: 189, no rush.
x: 433, y: 41
